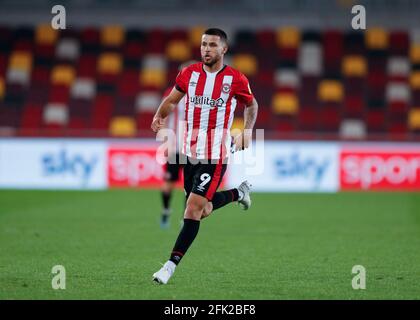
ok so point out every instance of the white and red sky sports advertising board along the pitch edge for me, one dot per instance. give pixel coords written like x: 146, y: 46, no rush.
x: 272, y: 166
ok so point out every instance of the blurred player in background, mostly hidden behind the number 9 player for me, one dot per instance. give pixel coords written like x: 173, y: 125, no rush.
x: 174, y: 122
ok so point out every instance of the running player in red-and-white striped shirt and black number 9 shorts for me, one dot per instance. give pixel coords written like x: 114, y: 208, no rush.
x: 213, y: 89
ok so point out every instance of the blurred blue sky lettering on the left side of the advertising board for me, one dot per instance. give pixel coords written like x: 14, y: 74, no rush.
x: 66, y: 164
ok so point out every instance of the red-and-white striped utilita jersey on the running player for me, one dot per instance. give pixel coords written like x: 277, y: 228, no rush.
x: 211, y: 99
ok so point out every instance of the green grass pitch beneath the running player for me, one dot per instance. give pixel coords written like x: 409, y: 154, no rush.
x: 287, y: 246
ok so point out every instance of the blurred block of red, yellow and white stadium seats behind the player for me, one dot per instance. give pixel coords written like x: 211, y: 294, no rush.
x: 350, y: 83
